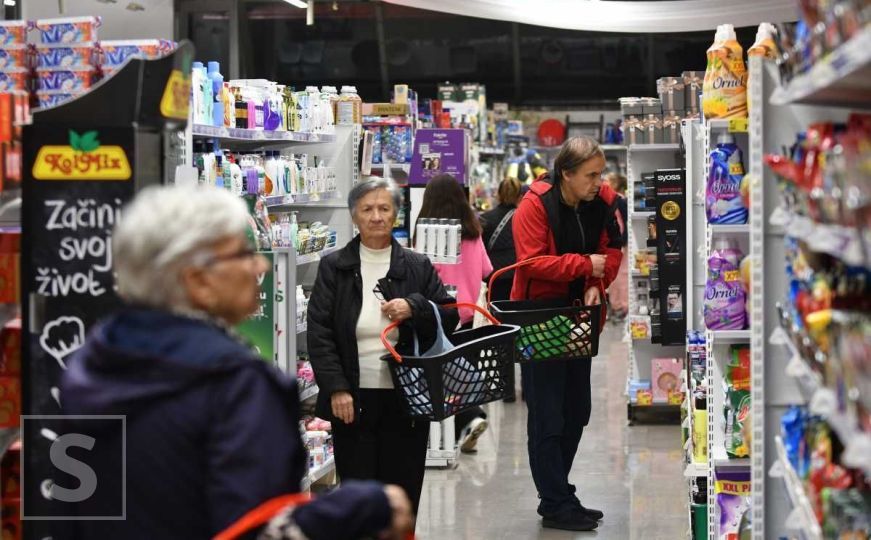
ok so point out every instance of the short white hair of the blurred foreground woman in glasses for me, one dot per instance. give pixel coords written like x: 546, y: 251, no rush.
x: 166, y: 229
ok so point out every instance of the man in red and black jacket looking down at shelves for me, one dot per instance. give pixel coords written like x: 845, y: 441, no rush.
x: 570, y: 215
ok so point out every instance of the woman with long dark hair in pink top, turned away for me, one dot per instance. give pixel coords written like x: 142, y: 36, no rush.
x: 444, y: 198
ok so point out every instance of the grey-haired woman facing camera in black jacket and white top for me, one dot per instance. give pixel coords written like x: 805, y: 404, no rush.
x: 359, y: 291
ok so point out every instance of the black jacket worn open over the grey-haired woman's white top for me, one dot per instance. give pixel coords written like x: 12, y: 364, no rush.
x: 334, y: 308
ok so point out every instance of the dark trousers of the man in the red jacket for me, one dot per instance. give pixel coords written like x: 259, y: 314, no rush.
x: 558, y: 400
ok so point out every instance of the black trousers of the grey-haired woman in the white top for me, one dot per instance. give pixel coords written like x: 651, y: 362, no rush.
x: 382, y: 444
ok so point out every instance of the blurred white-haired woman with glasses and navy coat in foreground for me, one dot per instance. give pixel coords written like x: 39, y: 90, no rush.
x: 211, y: 428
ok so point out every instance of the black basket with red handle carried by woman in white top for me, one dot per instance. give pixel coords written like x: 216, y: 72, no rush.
x: 475, y: 371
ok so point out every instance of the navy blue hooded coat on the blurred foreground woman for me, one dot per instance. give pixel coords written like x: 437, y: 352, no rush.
x: 212, y: 430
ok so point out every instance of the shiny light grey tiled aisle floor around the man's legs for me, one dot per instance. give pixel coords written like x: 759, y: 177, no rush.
x: 634, y: 474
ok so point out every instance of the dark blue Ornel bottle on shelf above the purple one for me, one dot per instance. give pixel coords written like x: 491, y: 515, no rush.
x: 723, y: 201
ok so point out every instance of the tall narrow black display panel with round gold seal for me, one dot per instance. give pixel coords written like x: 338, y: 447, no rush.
x: 671, y: 253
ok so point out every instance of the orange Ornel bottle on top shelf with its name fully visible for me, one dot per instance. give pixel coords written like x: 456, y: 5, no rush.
x: 724, y: 92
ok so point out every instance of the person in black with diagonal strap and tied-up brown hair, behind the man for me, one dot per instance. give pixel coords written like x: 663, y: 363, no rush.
x: 499, y: 241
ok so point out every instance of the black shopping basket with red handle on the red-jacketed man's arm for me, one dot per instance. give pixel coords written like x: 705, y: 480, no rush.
x: 550, y: 329
